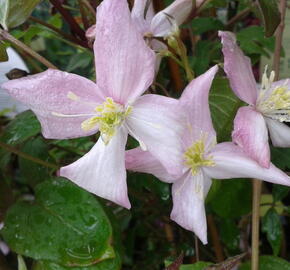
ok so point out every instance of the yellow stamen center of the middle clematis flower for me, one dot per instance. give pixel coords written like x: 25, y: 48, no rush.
x: 195, y: 157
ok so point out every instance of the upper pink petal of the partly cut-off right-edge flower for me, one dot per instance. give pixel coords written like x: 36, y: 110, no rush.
x: 238, y: 69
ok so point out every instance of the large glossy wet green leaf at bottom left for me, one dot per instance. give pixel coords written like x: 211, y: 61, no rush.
x: 64, y: 224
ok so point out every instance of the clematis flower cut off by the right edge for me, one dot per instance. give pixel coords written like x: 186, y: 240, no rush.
x: 269, y: 105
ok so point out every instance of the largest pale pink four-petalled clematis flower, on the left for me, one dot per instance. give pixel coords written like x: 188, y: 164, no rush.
x: 70, y: 106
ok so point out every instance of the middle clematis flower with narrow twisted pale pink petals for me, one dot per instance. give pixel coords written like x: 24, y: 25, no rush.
x: 202, y: 160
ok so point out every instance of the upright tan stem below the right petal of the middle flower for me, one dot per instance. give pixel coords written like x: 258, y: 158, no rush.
x: 257, y: 188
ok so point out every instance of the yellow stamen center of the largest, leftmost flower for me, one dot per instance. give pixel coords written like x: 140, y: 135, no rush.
x: 109, y: 116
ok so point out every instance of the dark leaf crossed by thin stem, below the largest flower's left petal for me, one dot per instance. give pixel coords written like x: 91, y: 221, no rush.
x: 30, y: 171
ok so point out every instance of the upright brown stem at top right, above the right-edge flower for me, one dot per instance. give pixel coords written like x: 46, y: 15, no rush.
x: 279, y: 39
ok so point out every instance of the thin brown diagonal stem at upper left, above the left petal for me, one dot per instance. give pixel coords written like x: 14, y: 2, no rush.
x: 6, y: 36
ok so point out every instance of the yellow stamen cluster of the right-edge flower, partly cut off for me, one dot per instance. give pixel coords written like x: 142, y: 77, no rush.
x: 274, y: 103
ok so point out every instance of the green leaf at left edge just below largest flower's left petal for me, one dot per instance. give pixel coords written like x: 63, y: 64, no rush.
x: 21, y: 128
